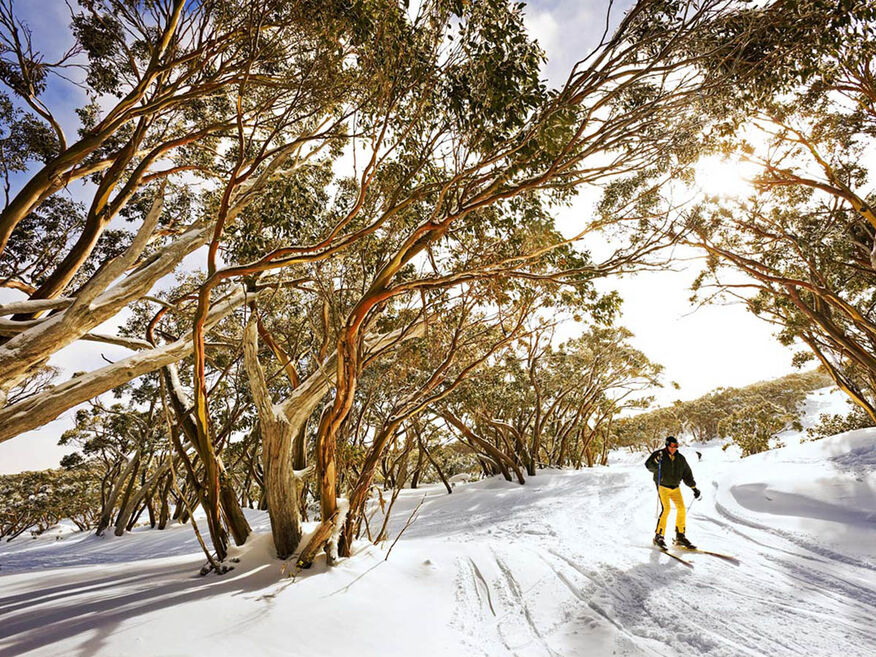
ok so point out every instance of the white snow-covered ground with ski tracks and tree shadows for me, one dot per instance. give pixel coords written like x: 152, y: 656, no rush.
x: 561, y: 566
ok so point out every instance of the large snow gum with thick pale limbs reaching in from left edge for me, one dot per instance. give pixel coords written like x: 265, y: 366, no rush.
x: 190, y: 109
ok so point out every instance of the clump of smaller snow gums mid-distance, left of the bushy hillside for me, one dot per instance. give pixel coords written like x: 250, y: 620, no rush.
x: 551, y: 406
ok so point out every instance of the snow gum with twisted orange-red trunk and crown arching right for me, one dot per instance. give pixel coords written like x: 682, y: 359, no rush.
x: 504, y: 146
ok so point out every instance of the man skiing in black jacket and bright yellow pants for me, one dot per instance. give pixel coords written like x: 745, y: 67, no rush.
x: 670, y: 468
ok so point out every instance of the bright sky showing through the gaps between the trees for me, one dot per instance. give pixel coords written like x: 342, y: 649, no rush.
x: 700, y: 348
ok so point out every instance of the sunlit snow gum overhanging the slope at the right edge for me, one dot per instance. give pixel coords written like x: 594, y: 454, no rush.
x: 802, y: 113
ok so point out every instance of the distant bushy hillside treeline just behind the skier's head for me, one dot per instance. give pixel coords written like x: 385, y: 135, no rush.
x: 749, y: 417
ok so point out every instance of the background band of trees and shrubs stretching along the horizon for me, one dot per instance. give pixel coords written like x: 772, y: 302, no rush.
x: 122, y: 474
